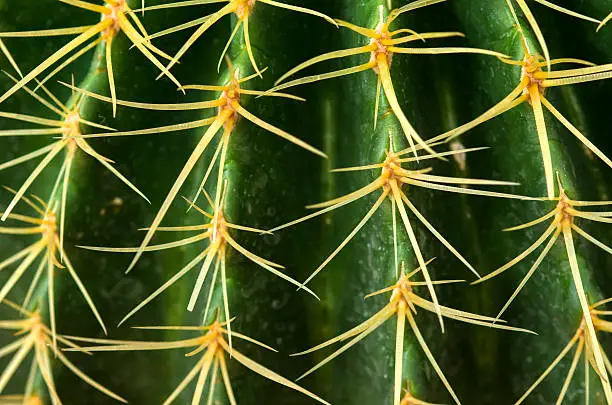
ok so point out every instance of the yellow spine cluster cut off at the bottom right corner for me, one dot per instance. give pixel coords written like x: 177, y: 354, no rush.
x: 586, y: 347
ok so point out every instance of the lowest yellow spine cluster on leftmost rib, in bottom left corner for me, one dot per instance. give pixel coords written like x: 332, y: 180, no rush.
x: 35, y: 339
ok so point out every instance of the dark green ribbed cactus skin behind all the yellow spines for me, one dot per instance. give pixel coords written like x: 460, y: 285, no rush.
x: 269, y: 181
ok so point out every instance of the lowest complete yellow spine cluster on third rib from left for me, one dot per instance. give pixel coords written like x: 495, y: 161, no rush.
x: 403, y: 305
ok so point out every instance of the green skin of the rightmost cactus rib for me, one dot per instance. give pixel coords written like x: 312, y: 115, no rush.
x: 556, y: 312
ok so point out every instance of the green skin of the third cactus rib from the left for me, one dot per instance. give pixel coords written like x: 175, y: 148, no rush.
x: 357, y: 143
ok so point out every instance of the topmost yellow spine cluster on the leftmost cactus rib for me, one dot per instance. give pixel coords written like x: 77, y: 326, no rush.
x: 116, y: 16
